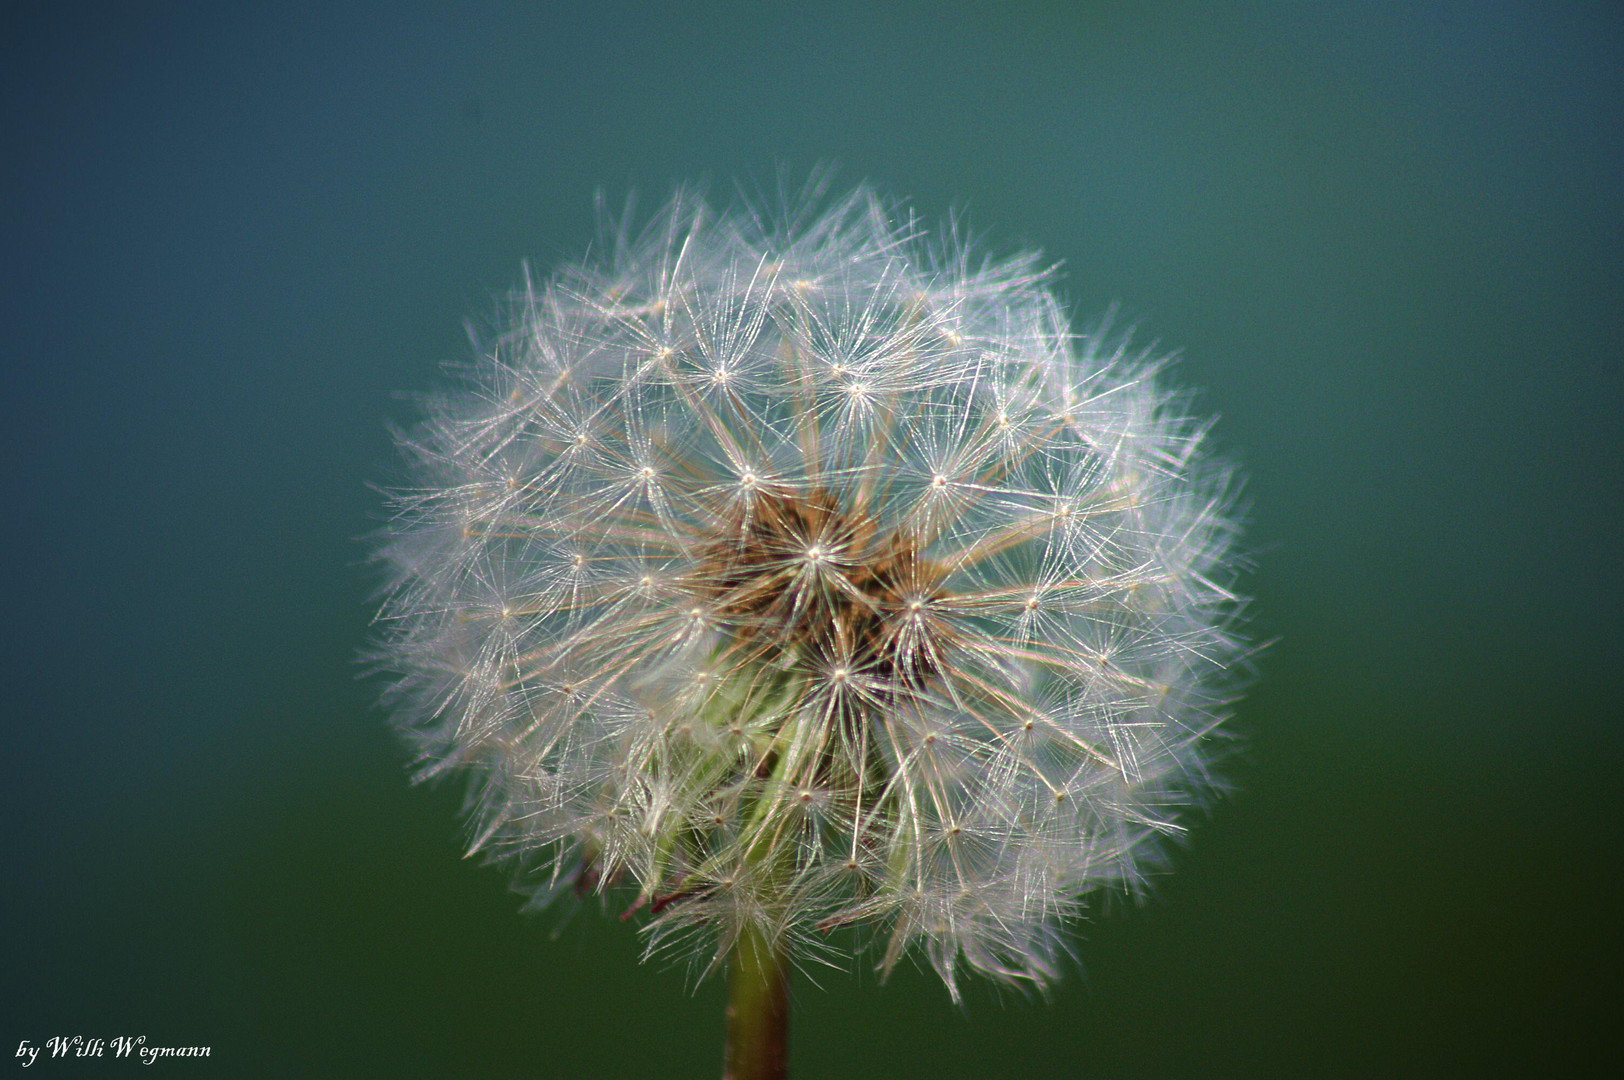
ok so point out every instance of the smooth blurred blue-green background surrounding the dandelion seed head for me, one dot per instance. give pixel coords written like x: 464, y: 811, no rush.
x: 1384, y: 240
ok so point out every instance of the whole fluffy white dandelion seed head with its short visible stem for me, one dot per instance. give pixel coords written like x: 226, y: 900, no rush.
x: 797, y: 574
